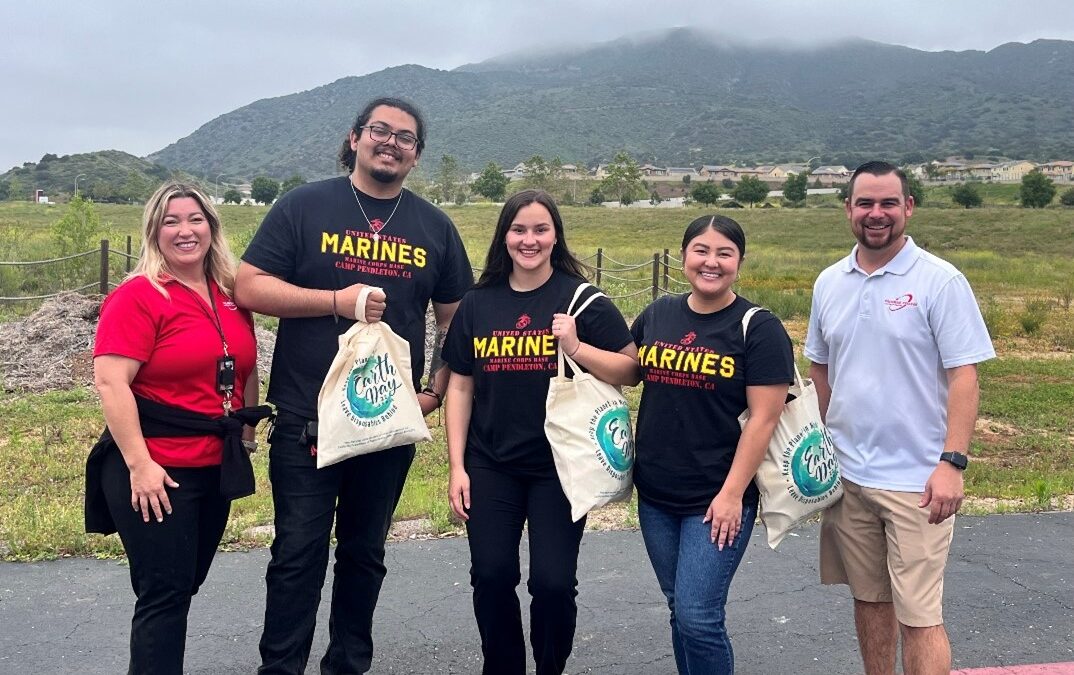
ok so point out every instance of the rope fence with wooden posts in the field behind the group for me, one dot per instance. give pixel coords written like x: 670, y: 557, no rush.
x: 659, y: 280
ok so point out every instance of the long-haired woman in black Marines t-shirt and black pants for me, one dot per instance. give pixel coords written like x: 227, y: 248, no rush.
x: 502, y: 351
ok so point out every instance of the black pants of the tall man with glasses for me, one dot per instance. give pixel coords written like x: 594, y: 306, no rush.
x: 360, y: 495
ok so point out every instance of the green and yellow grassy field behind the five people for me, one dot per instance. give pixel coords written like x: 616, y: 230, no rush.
x: 1021, y: 264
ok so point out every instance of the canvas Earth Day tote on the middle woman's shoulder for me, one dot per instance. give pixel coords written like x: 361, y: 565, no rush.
x: 588, y: 425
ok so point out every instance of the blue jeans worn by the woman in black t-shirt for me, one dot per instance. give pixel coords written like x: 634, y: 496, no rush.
x: 695, y: 578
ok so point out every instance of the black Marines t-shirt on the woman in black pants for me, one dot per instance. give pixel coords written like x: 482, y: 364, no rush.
x: 503, y: 339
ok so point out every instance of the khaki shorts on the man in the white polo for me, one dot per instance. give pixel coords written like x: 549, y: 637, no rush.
x: 881, y: 543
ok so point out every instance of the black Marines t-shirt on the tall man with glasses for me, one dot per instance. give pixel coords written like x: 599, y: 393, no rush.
x: 316, y: 237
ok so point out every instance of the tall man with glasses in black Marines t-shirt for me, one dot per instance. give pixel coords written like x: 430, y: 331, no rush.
x: 318, y: 247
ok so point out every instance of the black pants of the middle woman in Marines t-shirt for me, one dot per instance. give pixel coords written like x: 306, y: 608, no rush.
x: 500, y: 505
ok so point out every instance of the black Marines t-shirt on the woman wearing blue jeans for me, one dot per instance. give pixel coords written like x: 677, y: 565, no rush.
x: 696, y: 369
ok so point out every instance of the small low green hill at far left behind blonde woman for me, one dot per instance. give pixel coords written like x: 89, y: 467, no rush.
x: 106, y: 176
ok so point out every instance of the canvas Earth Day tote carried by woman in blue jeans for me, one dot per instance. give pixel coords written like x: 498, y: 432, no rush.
x: 800, y: 476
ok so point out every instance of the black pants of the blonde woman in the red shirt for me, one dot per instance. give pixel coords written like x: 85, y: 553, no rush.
x: 169, y: 561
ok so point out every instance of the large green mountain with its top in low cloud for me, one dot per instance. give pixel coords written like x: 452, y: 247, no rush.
x: 681, y: 97
